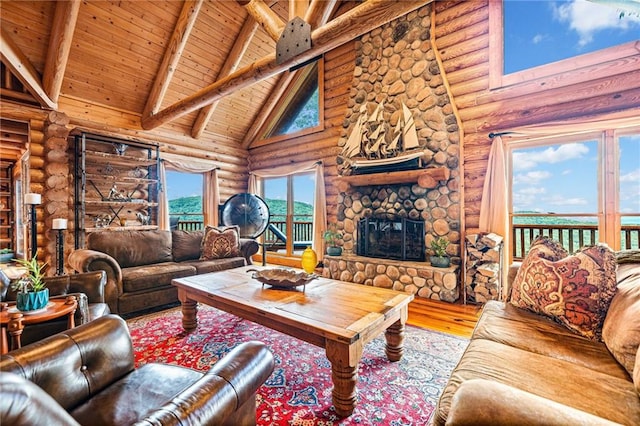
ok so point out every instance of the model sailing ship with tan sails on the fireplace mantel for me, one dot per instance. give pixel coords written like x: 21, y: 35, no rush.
x: 372, y: 146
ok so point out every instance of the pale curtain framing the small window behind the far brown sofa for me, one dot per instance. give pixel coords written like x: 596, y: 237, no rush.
x: 211, y: 190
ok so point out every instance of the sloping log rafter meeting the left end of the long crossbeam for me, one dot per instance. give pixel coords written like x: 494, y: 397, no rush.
x: 172, y: 54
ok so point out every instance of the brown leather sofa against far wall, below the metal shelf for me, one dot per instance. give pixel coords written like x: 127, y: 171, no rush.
x: 141, y: 264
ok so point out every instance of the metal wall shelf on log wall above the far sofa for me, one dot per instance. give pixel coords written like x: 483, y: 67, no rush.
x: 118, y: 185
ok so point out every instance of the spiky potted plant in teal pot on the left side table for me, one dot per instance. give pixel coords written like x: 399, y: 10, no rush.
x: 31, y: 290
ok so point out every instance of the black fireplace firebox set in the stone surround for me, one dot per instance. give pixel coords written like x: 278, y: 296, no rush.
x: 398, y: 238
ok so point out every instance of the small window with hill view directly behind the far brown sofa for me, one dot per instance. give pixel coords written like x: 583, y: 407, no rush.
x: 184, y: 192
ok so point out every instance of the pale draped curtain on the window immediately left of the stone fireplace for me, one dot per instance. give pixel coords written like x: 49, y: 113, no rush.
x: 320, y: 198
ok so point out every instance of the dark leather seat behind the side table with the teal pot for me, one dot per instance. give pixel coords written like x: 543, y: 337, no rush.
x: 88, y: 288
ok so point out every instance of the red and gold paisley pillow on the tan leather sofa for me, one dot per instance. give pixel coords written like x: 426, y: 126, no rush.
x: 574, y: 290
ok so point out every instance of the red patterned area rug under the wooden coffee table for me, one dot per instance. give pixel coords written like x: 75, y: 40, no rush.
x: 299, y: 390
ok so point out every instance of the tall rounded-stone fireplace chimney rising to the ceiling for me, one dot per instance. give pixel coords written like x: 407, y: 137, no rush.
x: 396, y: 65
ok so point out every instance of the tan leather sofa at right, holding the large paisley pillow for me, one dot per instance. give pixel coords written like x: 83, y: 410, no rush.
x: 523, y: 368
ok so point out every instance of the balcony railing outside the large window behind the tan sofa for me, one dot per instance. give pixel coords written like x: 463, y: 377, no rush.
x: 572, y: 237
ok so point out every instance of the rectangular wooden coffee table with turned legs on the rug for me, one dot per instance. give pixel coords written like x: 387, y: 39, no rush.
x: 338, y: 316
